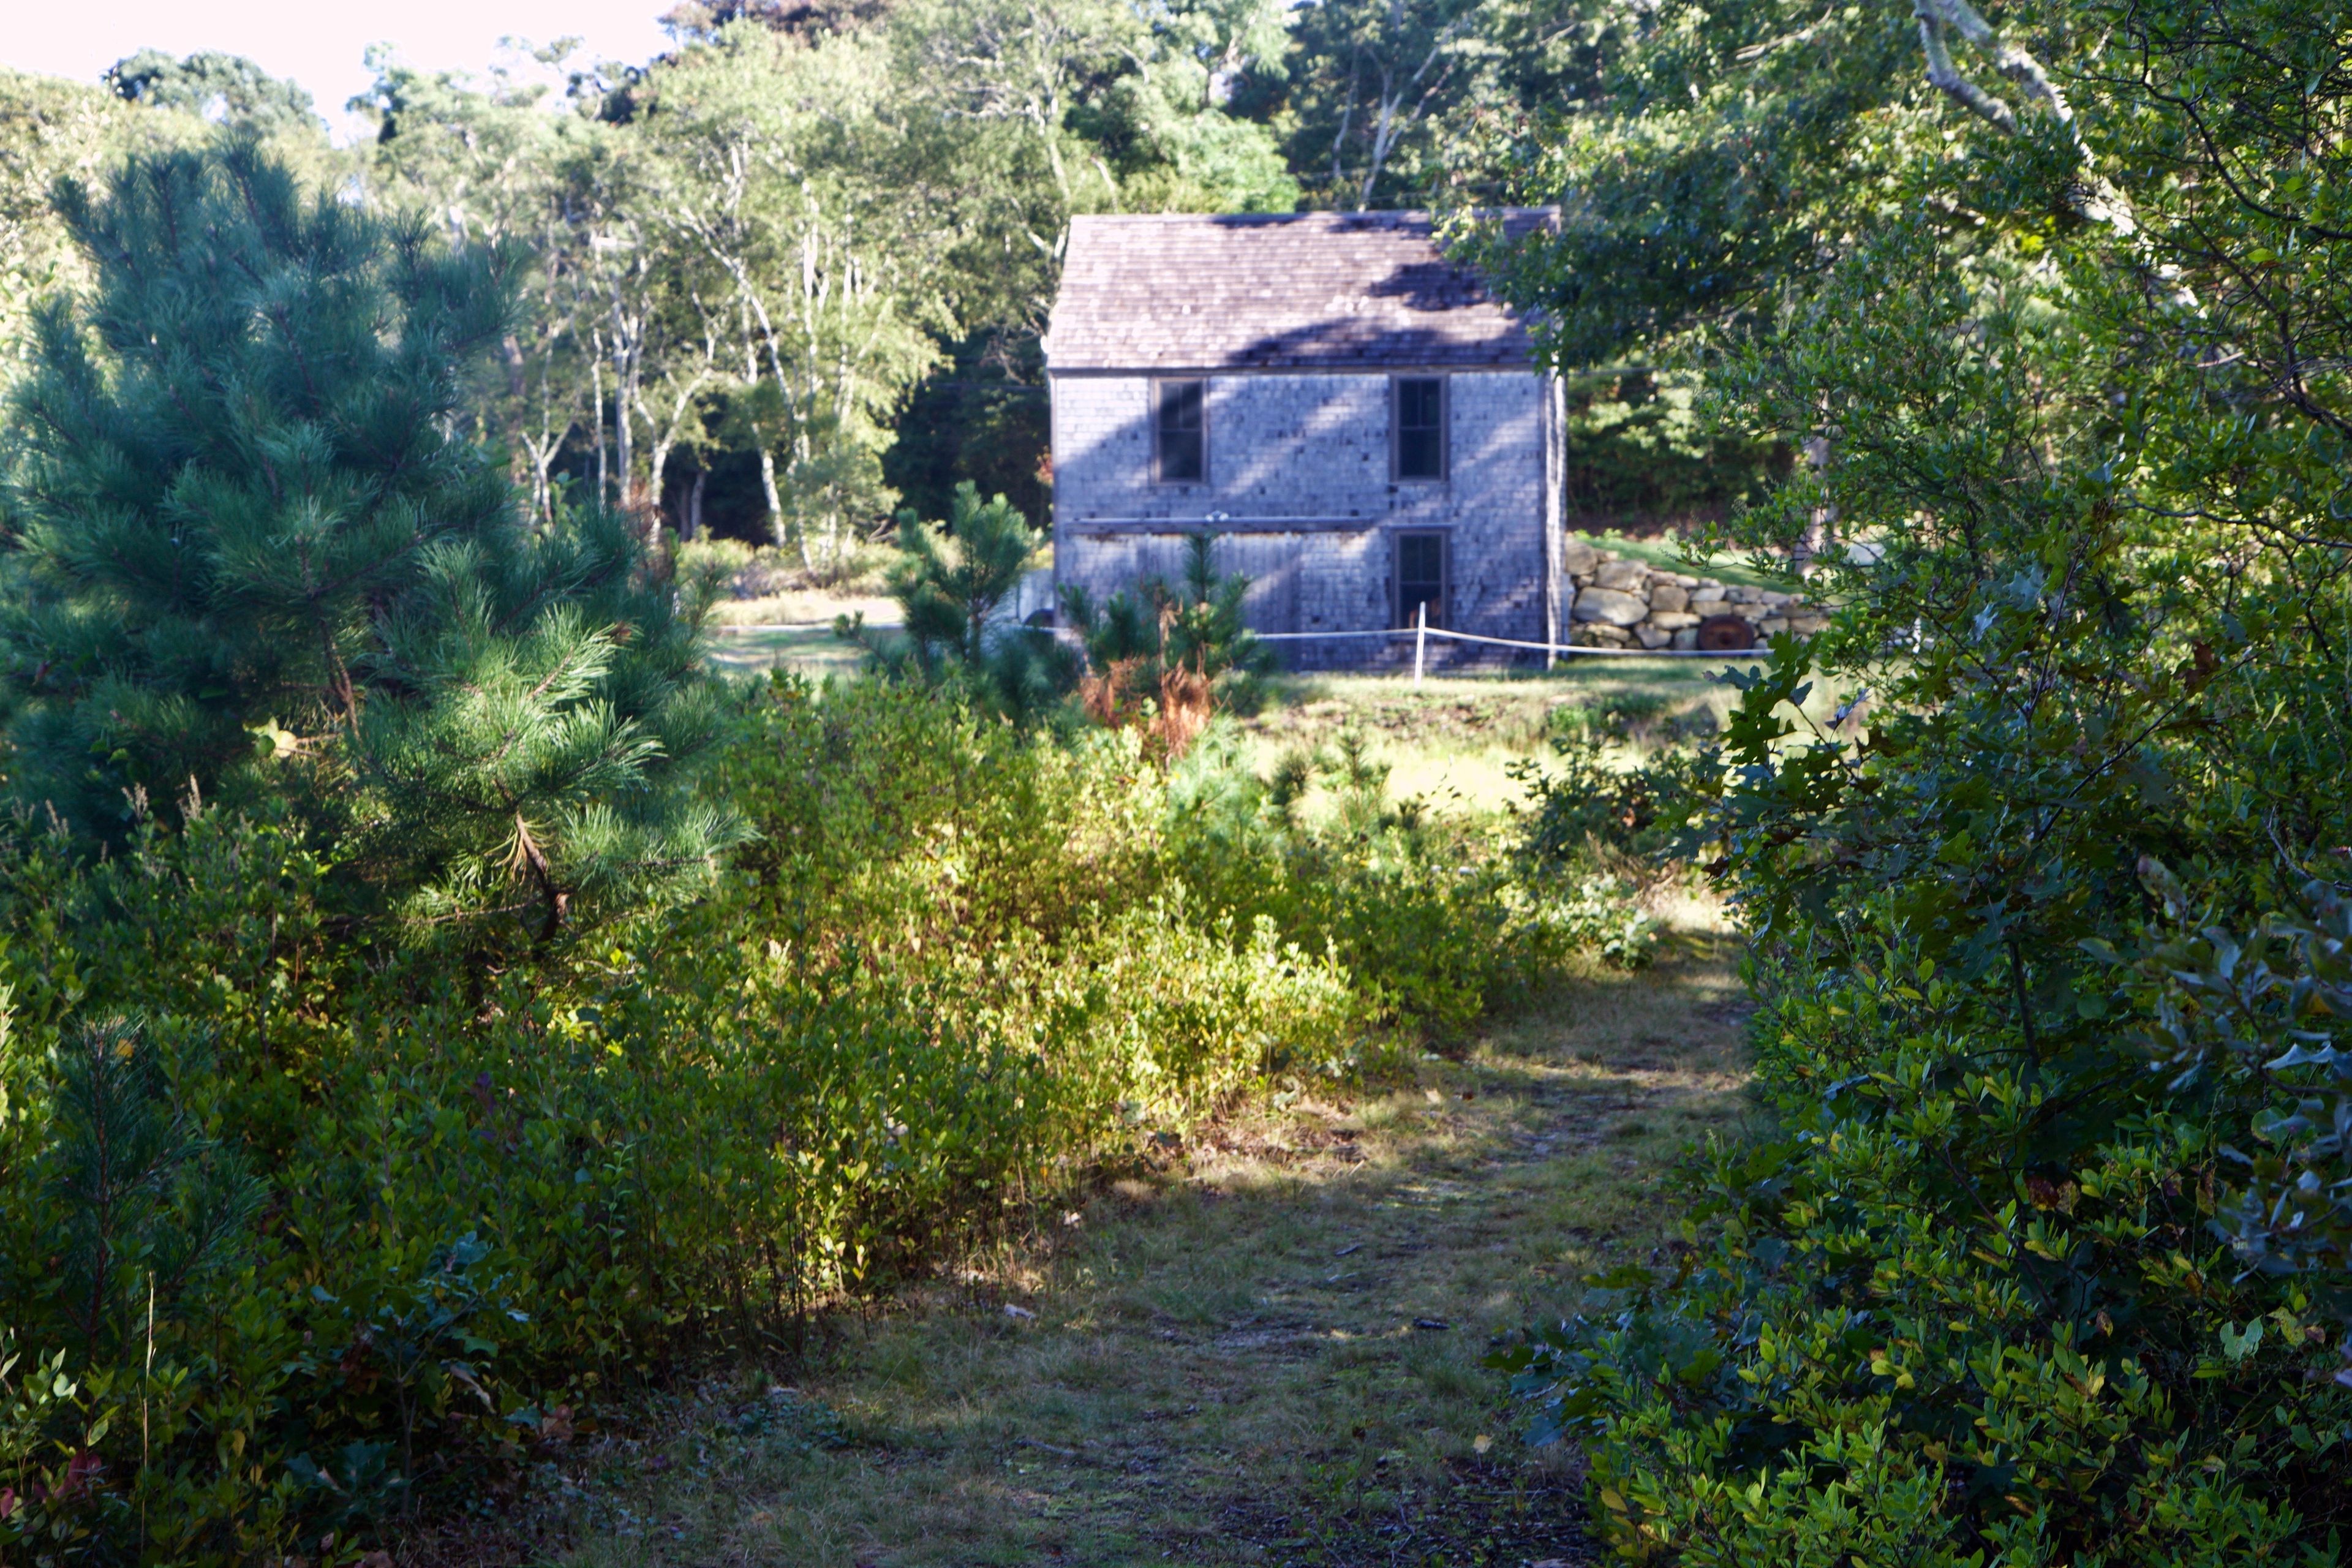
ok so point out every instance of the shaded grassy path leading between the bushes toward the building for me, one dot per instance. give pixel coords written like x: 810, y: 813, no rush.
x: 1267, y: 1355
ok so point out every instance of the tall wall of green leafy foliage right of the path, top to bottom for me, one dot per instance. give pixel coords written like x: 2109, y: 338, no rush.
x: 2038, y: 1257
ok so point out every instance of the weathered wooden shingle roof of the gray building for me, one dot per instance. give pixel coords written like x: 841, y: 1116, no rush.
x: 1314, y: 290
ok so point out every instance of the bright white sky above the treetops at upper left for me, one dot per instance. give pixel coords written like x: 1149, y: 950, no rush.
x: 319, y: 43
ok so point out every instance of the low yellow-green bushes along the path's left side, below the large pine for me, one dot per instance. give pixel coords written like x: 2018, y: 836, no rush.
x: 314, y: 1231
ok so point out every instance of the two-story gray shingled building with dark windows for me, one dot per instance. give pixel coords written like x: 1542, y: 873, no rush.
x: 1351, y: 415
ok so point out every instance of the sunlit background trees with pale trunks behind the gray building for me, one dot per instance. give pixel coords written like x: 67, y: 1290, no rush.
x: 796, y: 272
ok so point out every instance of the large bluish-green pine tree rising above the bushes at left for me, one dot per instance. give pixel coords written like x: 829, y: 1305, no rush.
x: 260, y: 558
